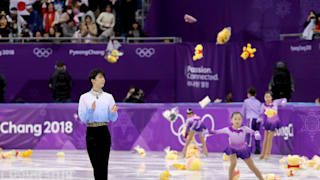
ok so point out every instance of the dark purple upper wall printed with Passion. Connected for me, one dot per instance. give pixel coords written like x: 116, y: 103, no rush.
x: 166, y: 72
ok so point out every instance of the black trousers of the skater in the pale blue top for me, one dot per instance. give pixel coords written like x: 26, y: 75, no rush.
x: 98, y: 141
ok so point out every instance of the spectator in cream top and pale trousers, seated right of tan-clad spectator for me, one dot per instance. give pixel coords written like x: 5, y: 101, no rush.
x: 106, y: 20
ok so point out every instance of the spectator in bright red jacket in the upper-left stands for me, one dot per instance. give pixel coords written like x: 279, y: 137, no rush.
x: 50, y: 18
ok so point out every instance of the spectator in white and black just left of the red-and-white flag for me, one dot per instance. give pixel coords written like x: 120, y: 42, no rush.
x: 17, y: 23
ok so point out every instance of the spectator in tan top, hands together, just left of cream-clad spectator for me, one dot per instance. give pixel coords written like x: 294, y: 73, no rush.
x: 88, y: 29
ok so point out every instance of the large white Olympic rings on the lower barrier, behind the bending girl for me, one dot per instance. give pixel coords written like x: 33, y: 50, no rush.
x: 180, y: 129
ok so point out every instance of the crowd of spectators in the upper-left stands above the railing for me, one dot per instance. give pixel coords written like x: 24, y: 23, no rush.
x: 72, y: 18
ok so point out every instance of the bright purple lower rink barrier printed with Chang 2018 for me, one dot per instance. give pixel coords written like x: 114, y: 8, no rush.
x: 57, y: 126
